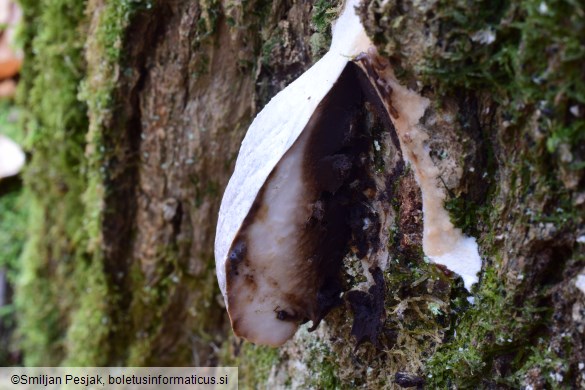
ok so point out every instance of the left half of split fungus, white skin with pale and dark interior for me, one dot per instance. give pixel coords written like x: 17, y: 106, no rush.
x: 281, y: 230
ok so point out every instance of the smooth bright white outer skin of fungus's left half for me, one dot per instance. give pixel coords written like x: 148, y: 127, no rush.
x: 277, y: 127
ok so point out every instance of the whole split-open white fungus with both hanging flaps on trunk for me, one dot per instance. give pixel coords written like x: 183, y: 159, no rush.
x: 281, y: 233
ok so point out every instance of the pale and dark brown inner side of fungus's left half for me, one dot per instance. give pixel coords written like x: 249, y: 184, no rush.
x: 283, y: 267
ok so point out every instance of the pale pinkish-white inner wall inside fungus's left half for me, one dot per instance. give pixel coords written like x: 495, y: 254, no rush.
x: 273, y: 250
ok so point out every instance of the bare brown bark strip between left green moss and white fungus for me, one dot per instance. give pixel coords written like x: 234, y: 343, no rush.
x: 186, y: 130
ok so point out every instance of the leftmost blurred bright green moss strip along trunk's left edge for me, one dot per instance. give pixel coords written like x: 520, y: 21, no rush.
x: 56, y: 123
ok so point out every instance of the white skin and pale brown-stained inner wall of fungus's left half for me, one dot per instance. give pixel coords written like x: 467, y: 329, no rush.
x: 274, y: 277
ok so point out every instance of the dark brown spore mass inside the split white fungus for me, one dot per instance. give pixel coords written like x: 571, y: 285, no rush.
x: 335, y: 167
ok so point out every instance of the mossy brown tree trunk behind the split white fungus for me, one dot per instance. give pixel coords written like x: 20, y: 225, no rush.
x: 135, y: 114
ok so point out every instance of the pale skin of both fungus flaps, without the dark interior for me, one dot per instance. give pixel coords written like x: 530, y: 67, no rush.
x: 276, y: 267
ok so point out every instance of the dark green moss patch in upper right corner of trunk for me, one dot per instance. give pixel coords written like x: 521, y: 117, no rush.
x: 534, y: 62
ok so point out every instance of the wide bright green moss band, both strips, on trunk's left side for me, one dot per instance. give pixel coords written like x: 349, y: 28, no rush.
x: 64, y: 298
